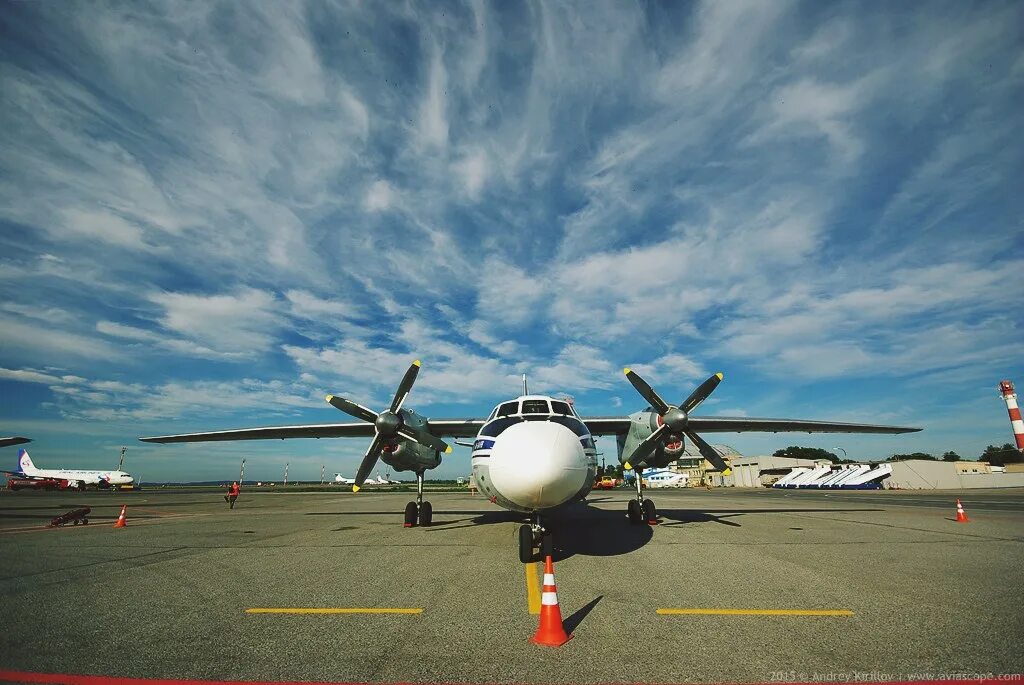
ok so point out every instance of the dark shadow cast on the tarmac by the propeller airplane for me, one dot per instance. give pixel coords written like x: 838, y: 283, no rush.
x: 580, y: 529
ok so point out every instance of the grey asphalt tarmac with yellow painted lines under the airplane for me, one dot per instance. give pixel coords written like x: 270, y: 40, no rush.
x: 908, y: 592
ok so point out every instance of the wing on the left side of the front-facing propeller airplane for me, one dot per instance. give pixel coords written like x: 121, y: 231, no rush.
x: 441, y: 429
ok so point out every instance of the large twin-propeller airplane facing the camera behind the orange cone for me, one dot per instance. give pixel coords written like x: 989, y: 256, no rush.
x: 534, y: 453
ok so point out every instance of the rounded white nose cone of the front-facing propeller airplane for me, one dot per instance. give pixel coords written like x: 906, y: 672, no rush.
x: 537, y: 464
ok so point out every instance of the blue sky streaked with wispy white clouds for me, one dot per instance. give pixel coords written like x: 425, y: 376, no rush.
x: 211, y: 216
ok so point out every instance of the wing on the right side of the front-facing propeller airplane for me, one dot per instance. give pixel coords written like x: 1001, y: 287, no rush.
x: 621, y: 425
